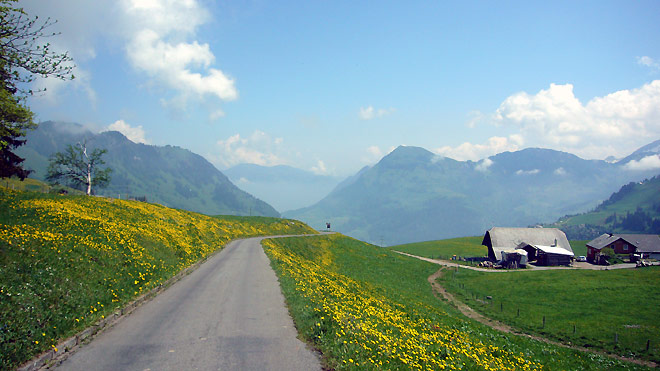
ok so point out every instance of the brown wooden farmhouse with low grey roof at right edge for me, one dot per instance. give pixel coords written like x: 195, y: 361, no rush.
x: 646, y: 245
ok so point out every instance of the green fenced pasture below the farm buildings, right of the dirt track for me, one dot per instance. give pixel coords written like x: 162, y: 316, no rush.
x: 614, y: 310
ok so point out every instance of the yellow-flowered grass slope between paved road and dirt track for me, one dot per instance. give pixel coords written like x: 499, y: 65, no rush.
x: 366, y: 307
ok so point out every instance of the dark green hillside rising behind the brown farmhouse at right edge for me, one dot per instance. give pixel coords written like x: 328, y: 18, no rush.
x: 635, y: 208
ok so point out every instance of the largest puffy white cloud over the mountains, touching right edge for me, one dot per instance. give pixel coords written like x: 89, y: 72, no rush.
x: 609, y: 125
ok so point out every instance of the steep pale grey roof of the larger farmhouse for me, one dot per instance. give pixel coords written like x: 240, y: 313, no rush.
x: 498, y: 239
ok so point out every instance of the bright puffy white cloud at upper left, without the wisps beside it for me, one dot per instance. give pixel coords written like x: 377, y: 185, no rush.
x: 157, y: 45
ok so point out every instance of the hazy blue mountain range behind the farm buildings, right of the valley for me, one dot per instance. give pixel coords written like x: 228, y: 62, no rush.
x: 414, y: 195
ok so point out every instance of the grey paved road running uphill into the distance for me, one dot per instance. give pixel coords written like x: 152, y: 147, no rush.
x: 227, y: 315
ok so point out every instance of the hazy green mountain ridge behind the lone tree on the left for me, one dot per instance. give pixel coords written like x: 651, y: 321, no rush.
x: 171, y: 176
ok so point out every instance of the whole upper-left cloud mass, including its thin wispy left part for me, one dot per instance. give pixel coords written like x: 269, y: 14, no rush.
x: 159, y: 38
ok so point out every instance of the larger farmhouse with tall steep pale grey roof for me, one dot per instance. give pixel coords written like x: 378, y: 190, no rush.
x: 548, y: 246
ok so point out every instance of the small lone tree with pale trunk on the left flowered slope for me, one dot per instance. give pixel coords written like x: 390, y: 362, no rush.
x: 78, y: 168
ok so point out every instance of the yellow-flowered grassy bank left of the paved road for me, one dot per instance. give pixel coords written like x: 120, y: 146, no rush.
x: 68, y: 261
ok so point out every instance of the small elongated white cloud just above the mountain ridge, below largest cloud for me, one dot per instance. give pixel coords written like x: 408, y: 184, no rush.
x: 475, y: 152
